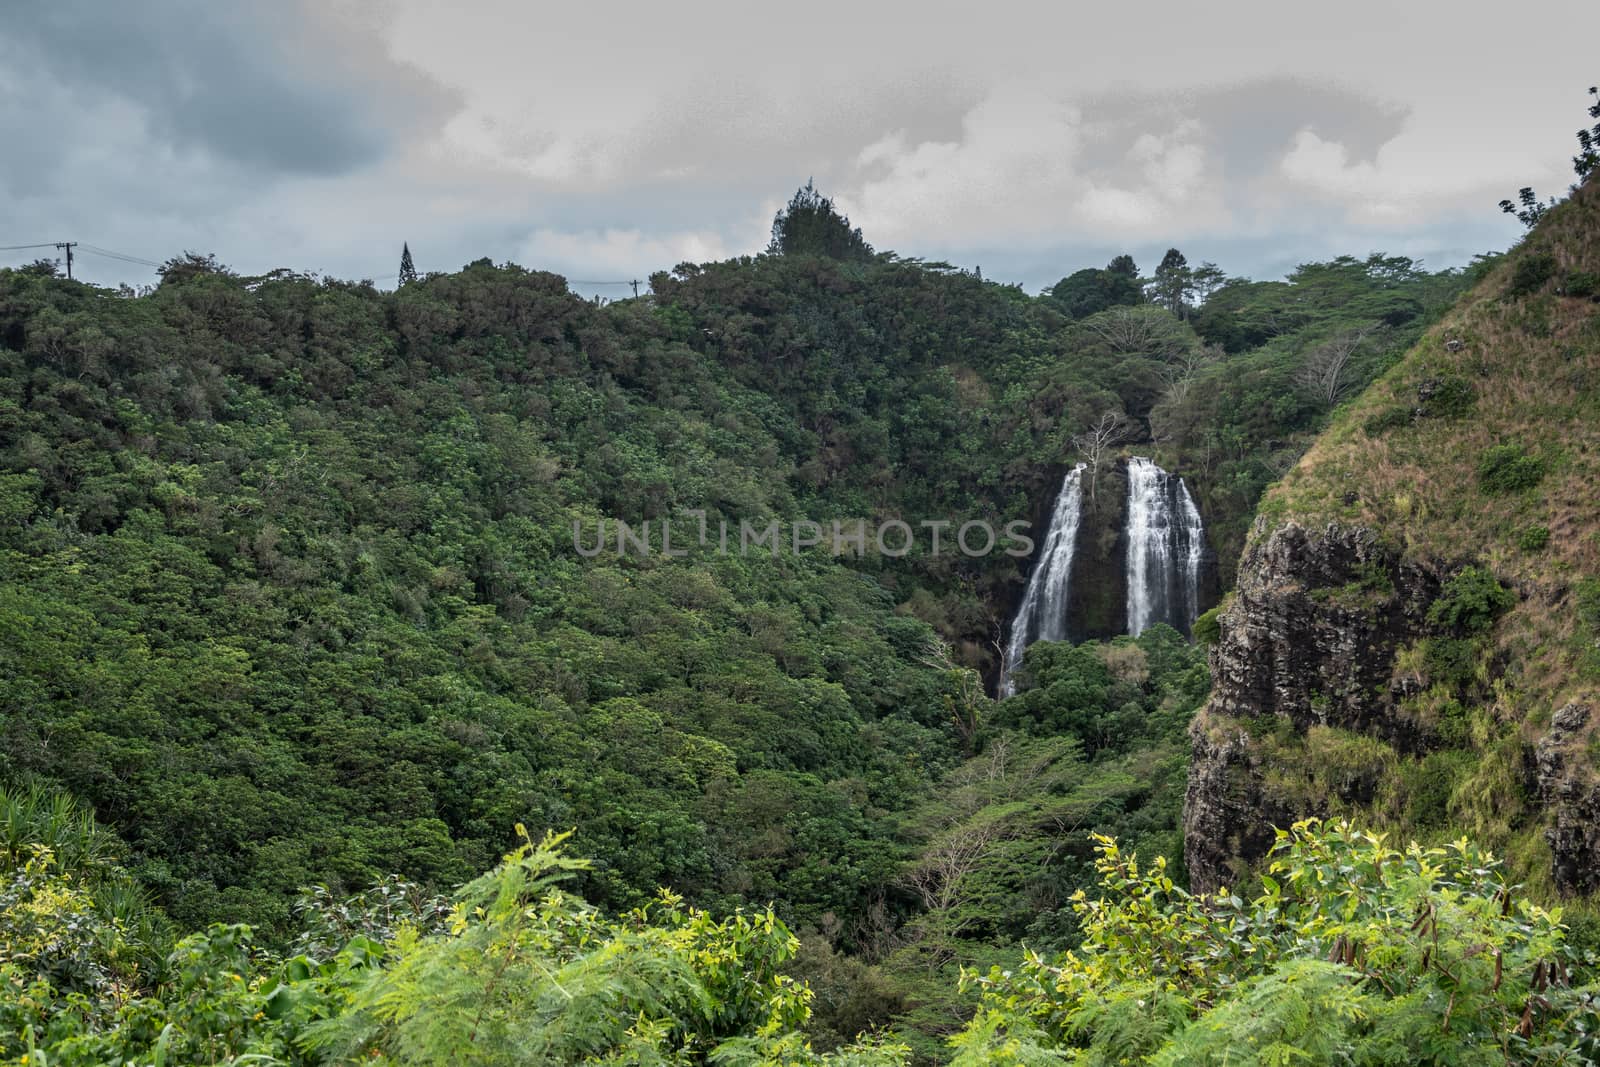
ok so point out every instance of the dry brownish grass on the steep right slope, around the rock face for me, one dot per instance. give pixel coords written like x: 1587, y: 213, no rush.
x: 1534, y: 364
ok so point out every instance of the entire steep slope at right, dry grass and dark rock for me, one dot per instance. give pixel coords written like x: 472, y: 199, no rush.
x: 1415, y: 637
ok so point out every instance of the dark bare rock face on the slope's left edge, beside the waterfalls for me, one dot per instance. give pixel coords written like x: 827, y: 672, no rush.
x: 1310, y: 639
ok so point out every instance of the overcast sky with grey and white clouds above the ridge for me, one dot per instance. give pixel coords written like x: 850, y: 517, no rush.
x: 607, y: 142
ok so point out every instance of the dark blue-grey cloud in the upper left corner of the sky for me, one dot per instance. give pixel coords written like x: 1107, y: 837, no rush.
x: 246, y: 84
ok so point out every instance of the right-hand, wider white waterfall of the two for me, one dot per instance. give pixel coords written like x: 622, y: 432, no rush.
x: 1166, y: 545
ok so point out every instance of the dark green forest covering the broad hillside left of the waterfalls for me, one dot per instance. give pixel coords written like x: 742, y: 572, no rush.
x: 294, y: 594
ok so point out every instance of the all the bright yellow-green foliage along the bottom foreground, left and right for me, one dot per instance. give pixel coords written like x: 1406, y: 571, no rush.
x: 1354, y: 953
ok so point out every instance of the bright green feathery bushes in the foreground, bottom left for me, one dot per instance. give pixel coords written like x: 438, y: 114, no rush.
x: 524, y: 973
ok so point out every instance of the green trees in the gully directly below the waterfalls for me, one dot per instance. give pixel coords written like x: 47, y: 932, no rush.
x: 1095, y: 740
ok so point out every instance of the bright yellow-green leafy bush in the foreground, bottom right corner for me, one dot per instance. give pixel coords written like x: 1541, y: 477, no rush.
x: 1353, y: 954
